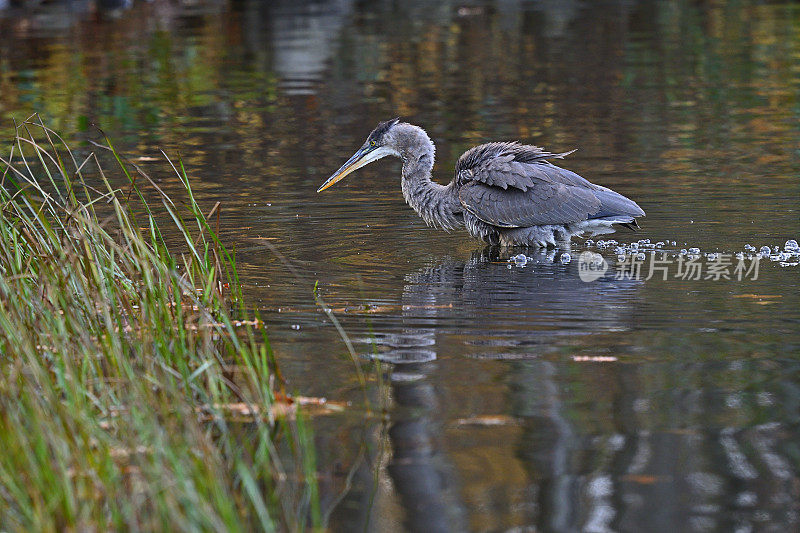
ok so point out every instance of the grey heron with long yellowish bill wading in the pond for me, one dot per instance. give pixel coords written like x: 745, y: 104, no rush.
x: 505, y: 193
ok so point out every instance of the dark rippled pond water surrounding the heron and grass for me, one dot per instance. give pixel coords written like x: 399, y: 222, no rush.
x: 528, y: 398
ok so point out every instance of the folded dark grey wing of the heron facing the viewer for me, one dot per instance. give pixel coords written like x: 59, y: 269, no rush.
x: 513, y: 185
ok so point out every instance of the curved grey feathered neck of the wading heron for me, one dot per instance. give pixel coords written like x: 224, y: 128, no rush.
x: 436, y: 204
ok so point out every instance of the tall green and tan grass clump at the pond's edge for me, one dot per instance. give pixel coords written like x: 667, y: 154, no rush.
x: 122, y: 363
